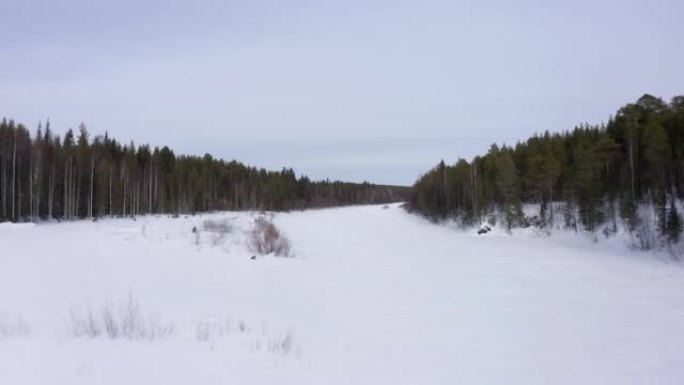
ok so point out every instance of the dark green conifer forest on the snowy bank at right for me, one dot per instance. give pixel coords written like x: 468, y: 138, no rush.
x: 626, y: 173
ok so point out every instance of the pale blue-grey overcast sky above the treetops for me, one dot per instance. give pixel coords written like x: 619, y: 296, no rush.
x: 353, y: 90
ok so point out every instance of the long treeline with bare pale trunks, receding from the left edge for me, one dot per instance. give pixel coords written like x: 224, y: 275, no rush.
x: 43, y: 176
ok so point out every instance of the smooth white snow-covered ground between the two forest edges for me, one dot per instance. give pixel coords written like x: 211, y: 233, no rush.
x: 372, y: 296
